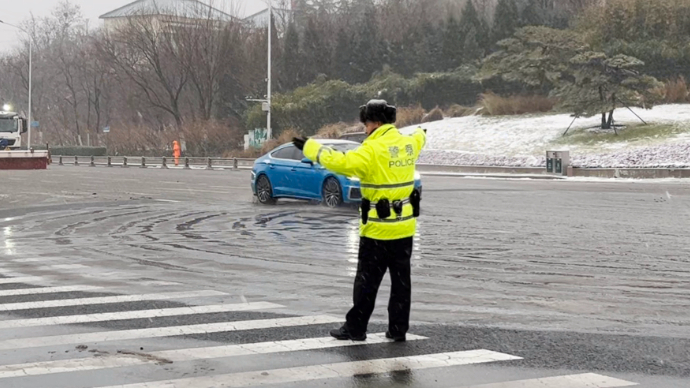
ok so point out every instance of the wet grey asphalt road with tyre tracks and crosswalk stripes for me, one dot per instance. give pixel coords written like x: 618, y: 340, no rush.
x: 574, y: 278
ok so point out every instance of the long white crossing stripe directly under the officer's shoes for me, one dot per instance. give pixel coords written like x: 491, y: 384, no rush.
x: 180, y: 355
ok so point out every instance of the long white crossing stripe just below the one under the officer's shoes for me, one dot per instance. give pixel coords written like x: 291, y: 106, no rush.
x: 330, y: 371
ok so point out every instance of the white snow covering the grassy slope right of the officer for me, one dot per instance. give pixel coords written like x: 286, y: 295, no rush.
x: 523, y: 140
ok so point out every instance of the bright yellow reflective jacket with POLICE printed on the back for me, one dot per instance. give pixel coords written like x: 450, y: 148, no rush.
x: 385, y: 164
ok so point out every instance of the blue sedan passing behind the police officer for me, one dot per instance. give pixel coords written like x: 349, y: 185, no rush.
x: 285, y: 173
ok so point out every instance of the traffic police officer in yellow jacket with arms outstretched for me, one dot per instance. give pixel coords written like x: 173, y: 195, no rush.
x: 385, y: 164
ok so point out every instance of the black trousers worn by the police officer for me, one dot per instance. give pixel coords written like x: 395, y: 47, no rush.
x: 375, y: 257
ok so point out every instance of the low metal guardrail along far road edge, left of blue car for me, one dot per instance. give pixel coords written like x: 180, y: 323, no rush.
x: 155, y: 162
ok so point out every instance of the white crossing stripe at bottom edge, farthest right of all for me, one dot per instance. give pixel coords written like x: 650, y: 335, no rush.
x: 586, y: 380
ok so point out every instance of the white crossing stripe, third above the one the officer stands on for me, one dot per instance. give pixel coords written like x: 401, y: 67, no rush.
x: 106, y: 300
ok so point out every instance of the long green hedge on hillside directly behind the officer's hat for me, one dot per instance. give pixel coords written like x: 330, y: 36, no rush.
x: 324, y: 102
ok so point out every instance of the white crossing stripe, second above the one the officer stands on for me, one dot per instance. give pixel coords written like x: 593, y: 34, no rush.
x: 125, y: 315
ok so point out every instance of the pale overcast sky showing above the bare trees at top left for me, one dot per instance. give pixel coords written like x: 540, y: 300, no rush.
x: 14, y: 11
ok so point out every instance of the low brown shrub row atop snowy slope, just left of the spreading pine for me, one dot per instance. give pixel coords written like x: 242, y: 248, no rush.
x: 495, y: 105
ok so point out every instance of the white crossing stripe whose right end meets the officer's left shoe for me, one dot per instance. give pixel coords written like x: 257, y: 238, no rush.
x: 168, y: 331
